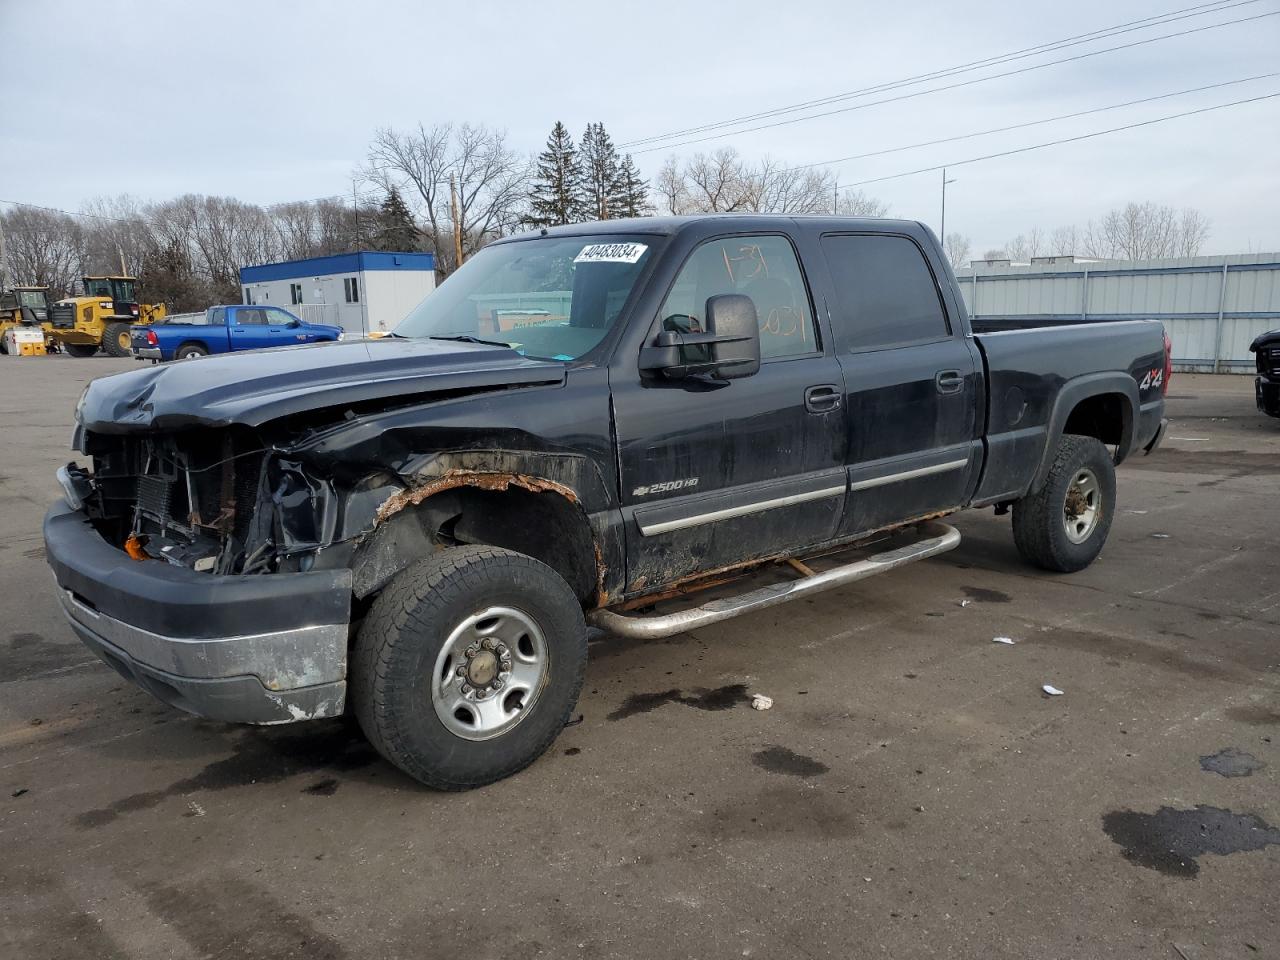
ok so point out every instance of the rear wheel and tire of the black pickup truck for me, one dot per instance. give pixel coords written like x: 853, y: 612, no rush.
x: 1064, y: 527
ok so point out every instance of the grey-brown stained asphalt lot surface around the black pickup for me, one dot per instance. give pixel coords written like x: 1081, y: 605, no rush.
x: 913, y: 793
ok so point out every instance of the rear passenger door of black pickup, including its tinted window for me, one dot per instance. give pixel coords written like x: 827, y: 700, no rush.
x: 913, y: 383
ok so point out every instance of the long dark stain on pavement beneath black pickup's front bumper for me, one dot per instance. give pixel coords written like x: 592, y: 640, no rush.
x: 260, y: 757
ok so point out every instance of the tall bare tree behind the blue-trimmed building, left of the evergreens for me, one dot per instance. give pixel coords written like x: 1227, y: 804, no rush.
x: 490, y: 179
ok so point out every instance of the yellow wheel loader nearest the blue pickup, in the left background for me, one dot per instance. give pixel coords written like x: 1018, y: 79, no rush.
x: 102, y: 317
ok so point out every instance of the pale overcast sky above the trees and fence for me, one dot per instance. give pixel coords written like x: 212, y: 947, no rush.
x: 276, y: 102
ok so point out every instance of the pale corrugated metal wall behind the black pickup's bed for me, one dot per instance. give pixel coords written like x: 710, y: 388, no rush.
x: 1212, y: 307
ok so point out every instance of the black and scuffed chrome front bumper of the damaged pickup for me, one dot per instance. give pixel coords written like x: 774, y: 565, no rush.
x: 258, y: 650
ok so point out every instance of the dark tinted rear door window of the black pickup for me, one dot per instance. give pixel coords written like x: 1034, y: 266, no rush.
x: 885, y: 294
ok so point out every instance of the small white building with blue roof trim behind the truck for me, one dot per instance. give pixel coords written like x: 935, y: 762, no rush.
x: 363, y: 292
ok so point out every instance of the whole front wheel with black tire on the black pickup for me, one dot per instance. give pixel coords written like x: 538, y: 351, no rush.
x: 469, y: 666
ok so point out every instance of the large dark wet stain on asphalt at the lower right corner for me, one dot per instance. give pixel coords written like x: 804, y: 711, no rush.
x: 1171, y: 840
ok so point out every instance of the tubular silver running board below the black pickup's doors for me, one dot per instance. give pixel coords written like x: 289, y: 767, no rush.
x: 936, y: 538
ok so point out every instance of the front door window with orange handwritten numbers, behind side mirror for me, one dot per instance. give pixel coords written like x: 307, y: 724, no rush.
x: 766, y: 271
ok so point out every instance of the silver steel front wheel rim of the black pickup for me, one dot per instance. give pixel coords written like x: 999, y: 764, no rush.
x: 490, y: 674
